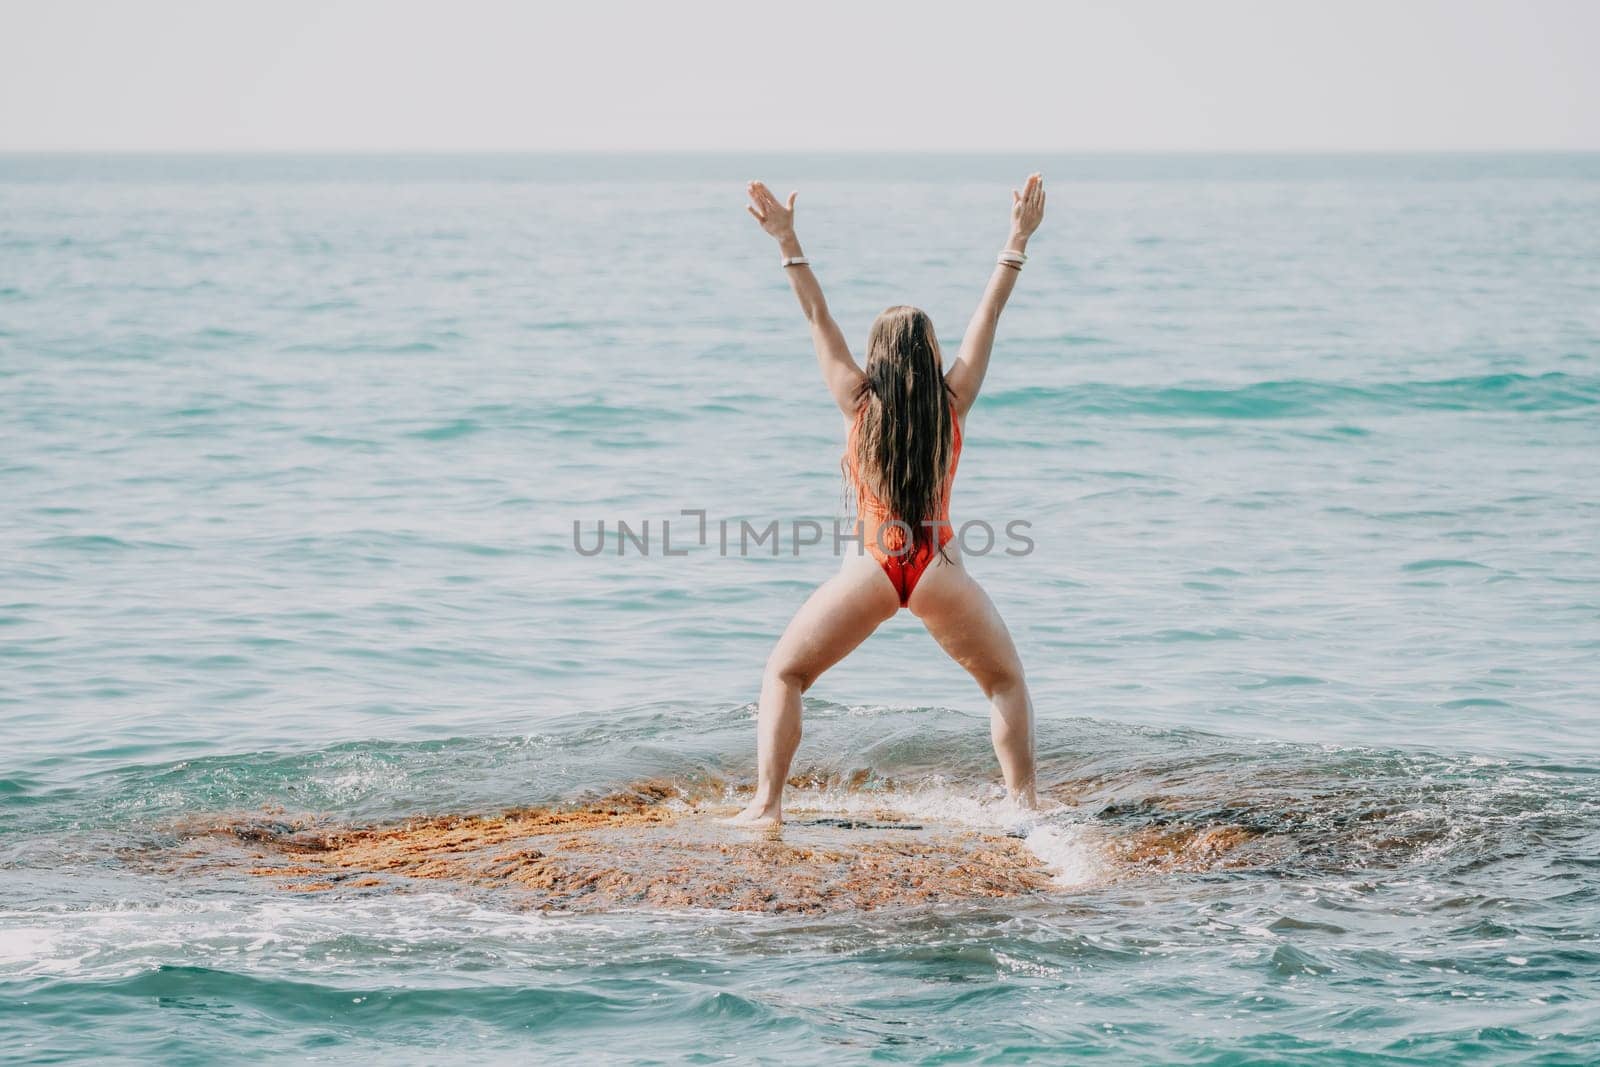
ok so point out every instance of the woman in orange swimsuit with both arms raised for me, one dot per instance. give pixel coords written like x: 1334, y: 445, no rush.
x: 906, y: 415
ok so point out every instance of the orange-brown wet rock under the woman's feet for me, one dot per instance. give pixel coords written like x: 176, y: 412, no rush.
x: 642, y: 852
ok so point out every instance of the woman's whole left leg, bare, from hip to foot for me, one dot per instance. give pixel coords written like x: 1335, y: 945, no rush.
x: 839, y: 615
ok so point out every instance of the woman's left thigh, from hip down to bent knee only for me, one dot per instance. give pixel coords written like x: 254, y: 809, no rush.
x: 842, y: 613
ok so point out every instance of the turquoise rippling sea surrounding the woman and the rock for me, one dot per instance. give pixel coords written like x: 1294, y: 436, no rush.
x: 290, y: 458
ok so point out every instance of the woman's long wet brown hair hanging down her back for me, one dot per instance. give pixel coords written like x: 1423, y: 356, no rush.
x: 905, y: 426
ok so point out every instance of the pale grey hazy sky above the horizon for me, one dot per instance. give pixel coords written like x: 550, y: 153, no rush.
x: 1276, y: 76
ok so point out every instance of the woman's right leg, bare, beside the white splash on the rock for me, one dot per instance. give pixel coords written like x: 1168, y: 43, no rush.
x: 961, y: 617
